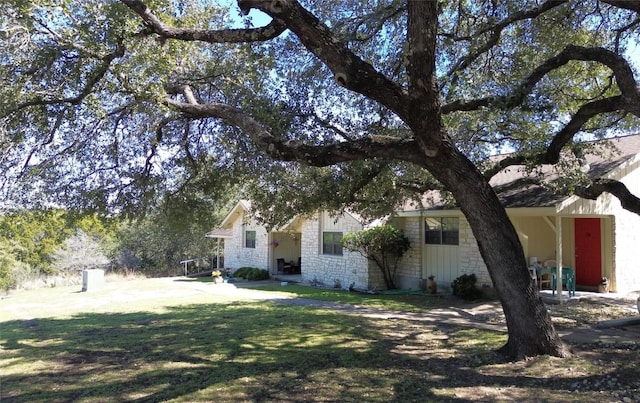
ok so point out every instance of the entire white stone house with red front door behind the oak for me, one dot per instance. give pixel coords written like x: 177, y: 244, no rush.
x: 595, y: 237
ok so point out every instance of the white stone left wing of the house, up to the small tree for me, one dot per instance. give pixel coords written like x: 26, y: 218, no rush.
x: 313, y: 243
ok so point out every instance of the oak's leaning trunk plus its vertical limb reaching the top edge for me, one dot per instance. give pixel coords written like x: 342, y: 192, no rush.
x: 531, y: 331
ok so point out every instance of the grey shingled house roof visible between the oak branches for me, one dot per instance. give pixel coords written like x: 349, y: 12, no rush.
x: 516, y: 188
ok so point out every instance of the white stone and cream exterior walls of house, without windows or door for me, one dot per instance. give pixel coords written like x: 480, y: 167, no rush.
x: 536, y: 228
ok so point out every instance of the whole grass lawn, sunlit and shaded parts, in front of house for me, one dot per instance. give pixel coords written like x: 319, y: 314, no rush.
x: 189, y: 341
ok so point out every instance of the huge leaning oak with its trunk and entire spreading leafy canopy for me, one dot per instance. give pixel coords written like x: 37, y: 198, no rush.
x: 331, y: 104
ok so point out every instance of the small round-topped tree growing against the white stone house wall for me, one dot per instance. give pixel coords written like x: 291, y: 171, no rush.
x: 383, y: 245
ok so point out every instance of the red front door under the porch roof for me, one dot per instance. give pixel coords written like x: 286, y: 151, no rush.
x: 588, y: 251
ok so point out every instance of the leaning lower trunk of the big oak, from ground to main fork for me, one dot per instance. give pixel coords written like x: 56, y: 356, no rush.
x: 531, y: 331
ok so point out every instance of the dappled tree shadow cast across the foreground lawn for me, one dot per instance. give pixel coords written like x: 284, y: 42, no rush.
x: 256, y: 352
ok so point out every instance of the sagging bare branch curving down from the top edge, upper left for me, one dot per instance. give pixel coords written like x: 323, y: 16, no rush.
x: 272, y: 30
